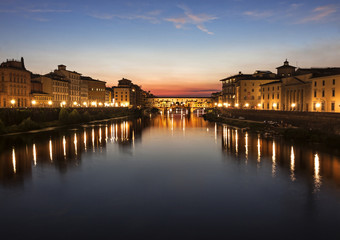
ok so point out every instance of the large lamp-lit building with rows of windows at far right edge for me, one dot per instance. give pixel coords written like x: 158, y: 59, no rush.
x: 306, y: 89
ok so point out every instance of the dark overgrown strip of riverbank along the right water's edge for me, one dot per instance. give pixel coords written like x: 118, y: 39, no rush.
x: 271, y: 129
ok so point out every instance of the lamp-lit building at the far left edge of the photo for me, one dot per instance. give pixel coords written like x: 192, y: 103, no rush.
x: 15, y: 84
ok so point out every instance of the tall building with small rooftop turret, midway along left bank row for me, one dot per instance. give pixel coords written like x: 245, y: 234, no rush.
x: 74, y: 94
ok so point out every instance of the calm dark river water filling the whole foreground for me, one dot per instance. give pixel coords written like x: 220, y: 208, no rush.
x: 169, y: 177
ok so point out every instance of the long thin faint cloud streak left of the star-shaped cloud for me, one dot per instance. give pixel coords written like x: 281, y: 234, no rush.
x: 150, y: 16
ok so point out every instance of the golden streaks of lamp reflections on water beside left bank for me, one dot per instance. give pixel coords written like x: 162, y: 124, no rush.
x: 62, y: 148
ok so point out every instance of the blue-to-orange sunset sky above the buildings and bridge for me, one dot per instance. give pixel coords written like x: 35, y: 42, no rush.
x: 171, y: 48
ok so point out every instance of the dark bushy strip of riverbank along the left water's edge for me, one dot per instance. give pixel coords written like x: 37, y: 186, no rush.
x: 21, y: 120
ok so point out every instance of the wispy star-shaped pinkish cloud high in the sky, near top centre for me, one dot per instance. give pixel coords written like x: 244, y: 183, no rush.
x: 190, y: 18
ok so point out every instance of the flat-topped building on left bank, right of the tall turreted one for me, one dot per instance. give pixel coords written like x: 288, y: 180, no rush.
x: 95, y: 92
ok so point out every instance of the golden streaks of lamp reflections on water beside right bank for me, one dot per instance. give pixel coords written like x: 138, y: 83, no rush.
x: 285, y: 159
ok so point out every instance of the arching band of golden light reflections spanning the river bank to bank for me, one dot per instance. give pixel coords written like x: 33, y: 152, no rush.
x: 65, y: 148
